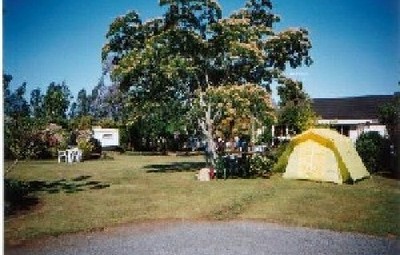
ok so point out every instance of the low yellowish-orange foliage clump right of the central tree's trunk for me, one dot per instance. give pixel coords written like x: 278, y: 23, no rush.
x: 237, y: 110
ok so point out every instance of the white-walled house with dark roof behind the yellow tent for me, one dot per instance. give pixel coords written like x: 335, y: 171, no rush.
x: 352, y: 116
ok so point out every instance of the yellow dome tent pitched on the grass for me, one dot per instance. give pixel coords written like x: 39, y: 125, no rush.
x: 324, y: 155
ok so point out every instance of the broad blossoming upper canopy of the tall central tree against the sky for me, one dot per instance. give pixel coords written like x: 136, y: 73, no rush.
x: 193, y: 48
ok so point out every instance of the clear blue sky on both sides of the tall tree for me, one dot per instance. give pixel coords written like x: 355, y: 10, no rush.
x: 356, y: 48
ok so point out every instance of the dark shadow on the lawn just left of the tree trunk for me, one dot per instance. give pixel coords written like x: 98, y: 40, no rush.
x: 175, y: 167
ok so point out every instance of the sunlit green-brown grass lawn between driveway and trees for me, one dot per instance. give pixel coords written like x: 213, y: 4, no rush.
x: 102, y: 193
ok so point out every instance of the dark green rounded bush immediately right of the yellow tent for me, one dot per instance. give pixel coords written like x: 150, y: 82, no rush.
x: 373, y: 150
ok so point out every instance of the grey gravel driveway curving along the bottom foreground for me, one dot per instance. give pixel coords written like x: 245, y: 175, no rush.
x: 233, y: 237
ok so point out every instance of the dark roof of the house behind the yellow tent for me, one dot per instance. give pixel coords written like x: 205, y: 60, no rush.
x: 364, y: 107
